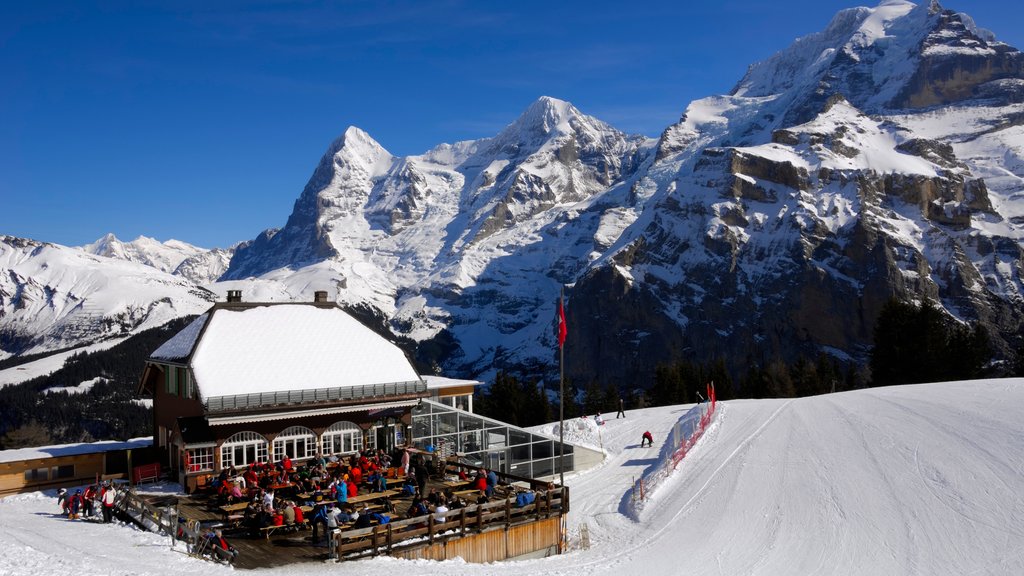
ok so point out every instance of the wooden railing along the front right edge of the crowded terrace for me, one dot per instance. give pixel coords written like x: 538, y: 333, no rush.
x: 425, y: 530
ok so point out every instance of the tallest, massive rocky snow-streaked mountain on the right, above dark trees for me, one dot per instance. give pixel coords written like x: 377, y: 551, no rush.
x: 775, y: 208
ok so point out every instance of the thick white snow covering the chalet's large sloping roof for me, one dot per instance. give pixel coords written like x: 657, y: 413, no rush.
x: 291, y: 347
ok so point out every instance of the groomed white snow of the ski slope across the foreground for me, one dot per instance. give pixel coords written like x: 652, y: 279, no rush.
x: 907, y: 480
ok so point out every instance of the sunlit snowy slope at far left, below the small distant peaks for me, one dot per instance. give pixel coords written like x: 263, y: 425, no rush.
x: 54, y: 297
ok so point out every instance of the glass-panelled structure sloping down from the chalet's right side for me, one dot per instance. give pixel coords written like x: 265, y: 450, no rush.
x: 484, y: 442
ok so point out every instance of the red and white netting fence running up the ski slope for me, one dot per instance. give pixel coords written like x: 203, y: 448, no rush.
x: 685, y: 435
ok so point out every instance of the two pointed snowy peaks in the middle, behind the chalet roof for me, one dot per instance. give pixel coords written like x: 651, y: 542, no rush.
x: 447, y: 238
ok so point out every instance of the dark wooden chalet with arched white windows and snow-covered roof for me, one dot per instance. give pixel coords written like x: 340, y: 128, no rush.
x: 248, y: 383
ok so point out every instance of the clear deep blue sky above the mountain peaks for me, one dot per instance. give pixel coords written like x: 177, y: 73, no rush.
x: 202, y: 121
